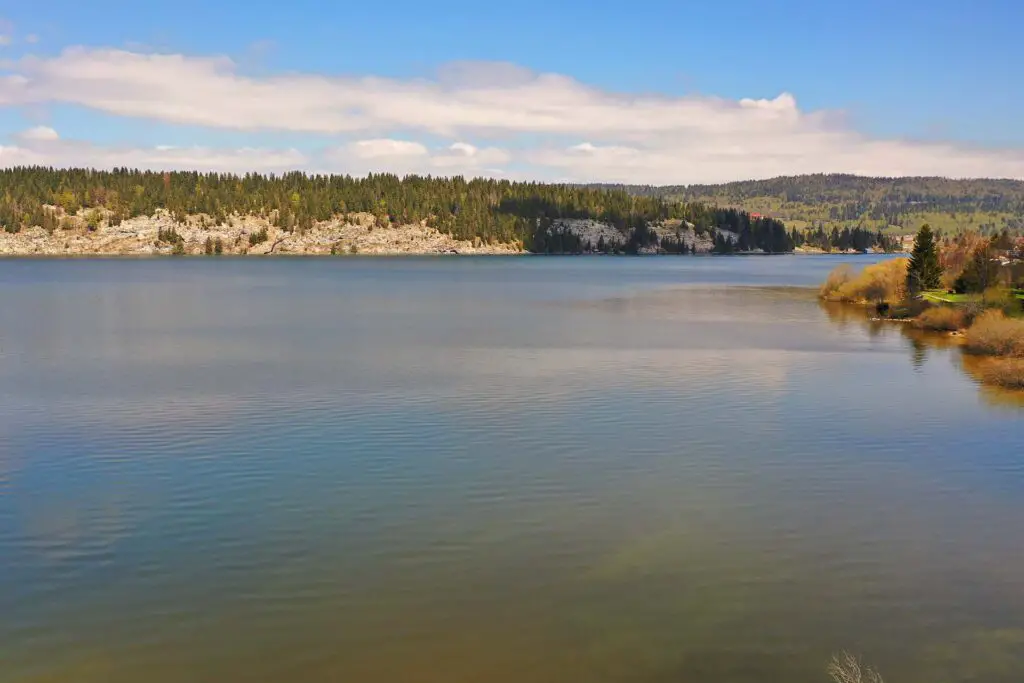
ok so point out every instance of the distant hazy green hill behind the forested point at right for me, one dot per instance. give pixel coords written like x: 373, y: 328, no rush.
x: 892, y: 205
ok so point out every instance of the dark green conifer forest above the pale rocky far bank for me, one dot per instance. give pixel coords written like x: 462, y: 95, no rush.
x: 486, y: 209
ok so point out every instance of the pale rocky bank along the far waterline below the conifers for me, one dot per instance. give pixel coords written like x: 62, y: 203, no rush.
x: 101, y: 235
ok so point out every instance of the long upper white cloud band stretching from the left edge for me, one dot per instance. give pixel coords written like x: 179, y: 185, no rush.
x: 209, y: 92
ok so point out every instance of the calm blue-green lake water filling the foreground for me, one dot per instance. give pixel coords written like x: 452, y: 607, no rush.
x: 523, y: 471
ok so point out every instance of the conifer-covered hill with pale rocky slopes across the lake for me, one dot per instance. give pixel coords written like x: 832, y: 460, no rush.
x: 67, y: 211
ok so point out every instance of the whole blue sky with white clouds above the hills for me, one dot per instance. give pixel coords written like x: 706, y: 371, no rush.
x: 649, y: 92
